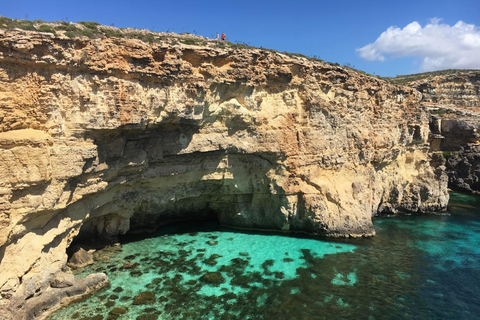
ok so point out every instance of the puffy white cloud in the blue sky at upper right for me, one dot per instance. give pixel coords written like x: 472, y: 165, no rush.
x: 440, y: 46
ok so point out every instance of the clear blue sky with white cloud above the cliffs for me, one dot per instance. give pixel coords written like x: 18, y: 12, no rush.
x: 334, y: 31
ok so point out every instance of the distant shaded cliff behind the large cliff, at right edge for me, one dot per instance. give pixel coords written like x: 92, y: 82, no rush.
x: 453, y: 98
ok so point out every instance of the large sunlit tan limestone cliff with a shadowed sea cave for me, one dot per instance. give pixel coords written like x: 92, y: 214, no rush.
x: 99, y: 137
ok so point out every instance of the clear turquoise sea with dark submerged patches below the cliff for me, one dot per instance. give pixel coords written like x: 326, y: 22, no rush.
x: 417, y: 267
